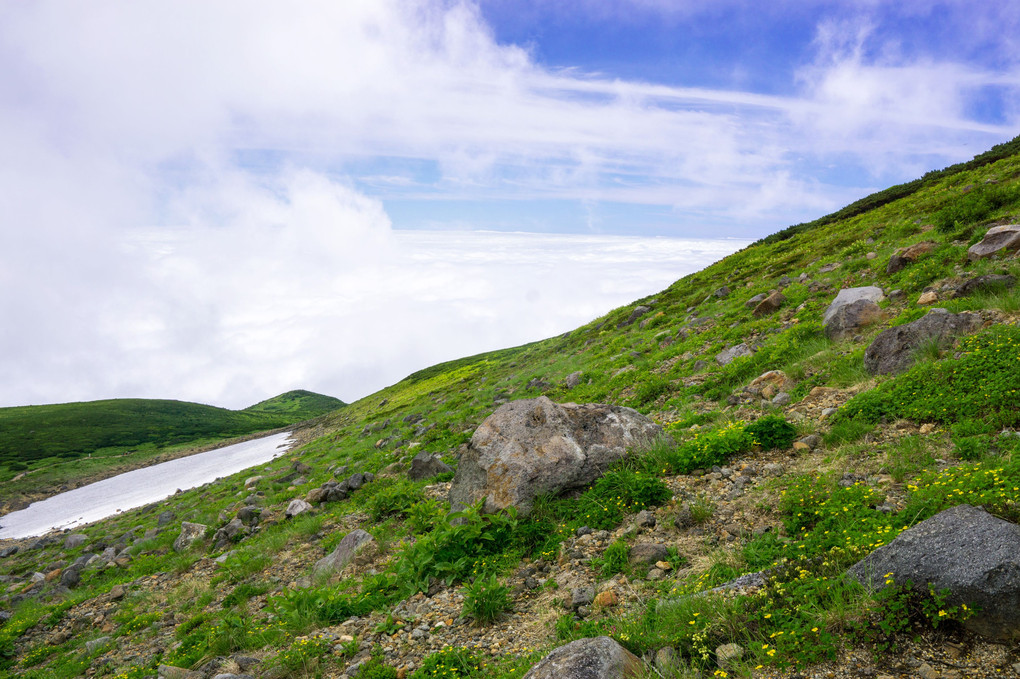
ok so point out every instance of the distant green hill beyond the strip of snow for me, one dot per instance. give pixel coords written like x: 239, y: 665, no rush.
x: 74, y: 430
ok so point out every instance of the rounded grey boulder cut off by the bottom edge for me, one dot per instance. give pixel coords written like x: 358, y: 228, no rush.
x: 599, y: 658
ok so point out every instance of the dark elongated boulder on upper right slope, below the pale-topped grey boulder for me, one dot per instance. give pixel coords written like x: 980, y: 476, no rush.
x: 894, y: 350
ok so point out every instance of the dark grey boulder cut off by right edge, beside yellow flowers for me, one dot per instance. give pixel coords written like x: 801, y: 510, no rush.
x: 964, y: 550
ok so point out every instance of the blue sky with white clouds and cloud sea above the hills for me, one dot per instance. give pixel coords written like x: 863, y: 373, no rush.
x: 223, y: 201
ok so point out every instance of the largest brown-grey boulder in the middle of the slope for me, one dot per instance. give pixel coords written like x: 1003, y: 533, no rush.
x: 536, y: 447
